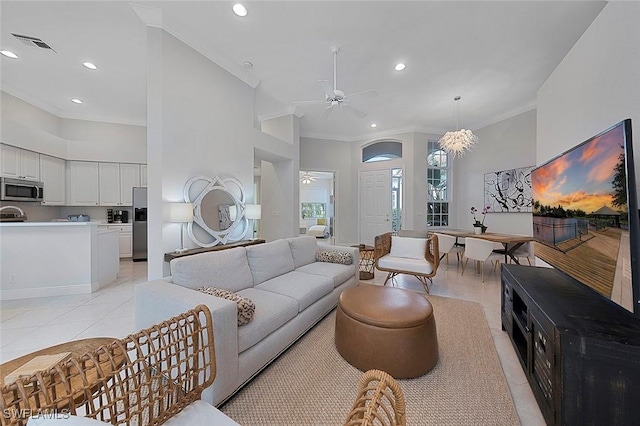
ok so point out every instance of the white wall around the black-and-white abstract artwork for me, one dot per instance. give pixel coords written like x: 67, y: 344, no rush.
x: 508, y: 144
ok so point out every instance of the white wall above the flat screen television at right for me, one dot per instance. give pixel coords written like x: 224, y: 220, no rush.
x: 595, y: 86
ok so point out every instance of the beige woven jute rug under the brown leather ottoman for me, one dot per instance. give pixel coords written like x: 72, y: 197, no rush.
x: 311, y: 384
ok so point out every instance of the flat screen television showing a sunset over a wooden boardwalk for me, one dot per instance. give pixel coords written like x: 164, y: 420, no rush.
x: 586, y: 218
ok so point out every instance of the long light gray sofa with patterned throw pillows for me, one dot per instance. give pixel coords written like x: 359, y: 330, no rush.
x: 291, y: 291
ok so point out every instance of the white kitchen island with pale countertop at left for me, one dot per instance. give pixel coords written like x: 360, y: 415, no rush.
x: 42, y: 259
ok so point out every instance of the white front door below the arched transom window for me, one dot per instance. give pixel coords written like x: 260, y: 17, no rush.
x: 375, y: 204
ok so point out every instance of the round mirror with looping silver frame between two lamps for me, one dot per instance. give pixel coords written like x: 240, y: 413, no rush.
x: 218, y: 213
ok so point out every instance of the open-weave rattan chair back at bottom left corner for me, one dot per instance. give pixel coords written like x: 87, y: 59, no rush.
x: 143, y: 379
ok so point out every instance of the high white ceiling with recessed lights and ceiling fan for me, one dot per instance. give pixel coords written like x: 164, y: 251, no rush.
x: 496, y: 55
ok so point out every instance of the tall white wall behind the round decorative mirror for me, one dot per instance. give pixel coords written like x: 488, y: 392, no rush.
x: 191, y: 132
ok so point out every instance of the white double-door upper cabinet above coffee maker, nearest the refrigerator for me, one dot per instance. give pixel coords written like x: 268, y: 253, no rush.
x: 116, y: 183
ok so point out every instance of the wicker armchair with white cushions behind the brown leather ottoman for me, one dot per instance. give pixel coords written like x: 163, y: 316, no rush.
x: 423, y: 266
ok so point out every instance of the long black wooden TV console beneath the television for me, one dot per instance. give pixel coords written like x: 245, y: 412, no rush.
x: 579, y: 350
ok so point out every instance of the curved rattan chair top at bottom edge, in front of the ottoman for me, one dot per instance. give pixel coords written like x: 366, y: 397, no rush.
x: 379, y: 402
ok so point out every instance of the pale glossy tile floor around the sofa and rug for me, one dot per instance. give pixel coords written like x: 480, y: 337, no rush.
x: 31, y: 324
